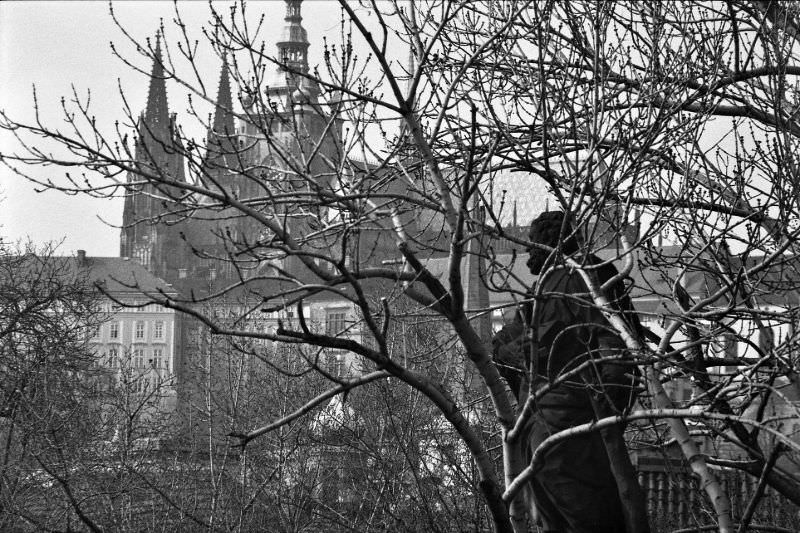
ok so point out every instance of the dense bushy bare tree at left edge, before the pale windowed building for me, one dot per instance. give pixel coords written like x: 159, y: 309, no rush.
x: 49, y: 374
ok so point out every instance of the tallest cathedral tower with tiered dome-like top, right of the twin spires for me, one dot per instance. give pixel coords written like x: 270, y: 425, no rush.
x: 287, y: 137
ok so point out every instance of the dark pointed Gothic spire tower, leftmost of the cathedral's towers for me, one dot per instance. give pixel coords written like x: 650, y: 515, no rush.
x: 148, y: 234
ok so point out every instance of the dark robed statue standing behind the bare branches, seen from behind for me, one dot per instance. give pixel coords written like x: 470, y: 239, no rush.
x: 574, y: 489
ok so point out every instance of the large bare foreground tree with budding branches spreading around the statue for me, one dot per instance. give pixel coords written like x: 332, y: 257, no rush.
x: 667, y: 132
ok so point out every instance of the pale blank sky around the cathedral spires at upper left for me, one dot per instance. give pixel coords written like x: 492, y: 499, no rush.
x: 55, y: 44
